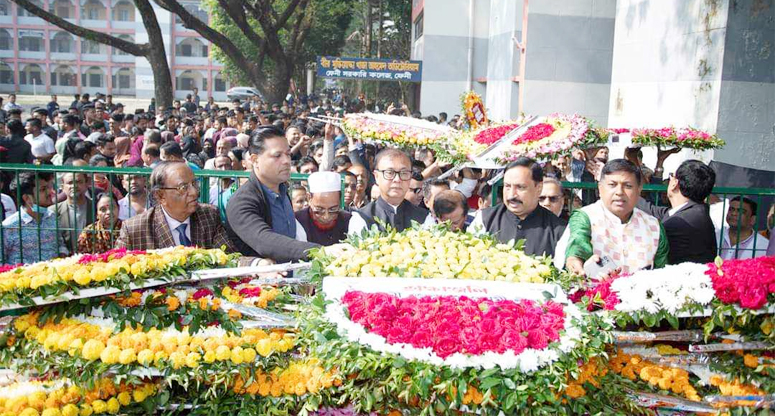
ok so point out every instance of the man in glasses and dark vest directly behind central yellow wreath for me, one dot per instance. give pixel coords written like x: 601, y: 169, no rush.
x: 393, y: 172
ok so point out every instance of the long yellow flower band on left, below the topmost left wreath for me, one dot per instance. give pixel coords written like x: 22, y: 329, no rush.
x: 153, y: 347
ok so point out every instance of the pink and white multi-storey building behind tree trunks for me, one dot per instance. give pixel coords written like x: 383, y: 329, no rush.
x: 39, y: 58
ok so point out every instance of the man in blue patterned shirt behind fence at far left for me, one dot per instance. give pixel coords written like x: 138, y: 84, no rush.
x: 30, y: 235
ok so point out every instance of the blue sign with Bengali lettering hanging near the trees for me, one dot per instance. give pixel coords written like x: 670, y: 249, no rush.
x: 369, y: 68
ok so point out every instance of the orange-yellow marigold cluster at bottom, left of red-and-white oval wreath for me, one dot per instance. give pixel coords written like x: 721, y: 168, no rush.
x: 298, y: 379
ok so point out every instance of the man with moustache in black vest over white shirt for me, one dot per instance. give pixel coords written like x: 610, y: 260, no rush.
x: 520, y: 217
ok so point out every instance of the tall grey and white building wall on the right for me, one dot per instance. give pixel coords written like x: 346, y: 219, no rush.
x: 623, y: 63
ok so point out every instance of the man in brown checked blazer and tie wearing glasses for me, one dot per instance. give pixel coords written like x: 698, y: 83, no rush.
x: 178, y: 218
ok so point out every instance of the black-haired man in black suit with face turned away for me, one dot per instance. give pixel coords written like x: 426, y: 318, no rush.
x: 689, y: 229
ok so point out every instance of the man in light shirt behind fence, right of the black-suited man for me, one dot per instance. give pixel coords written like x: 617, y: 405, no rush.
x: 739, y: 241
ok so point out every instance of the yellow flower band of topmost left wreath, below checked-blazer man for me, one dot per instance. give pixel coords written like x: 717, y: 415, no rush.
x: 70, y: 271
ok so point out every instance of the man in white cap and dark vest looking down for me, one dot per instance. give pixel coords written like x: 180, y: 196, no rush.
x: 323, y: 222
